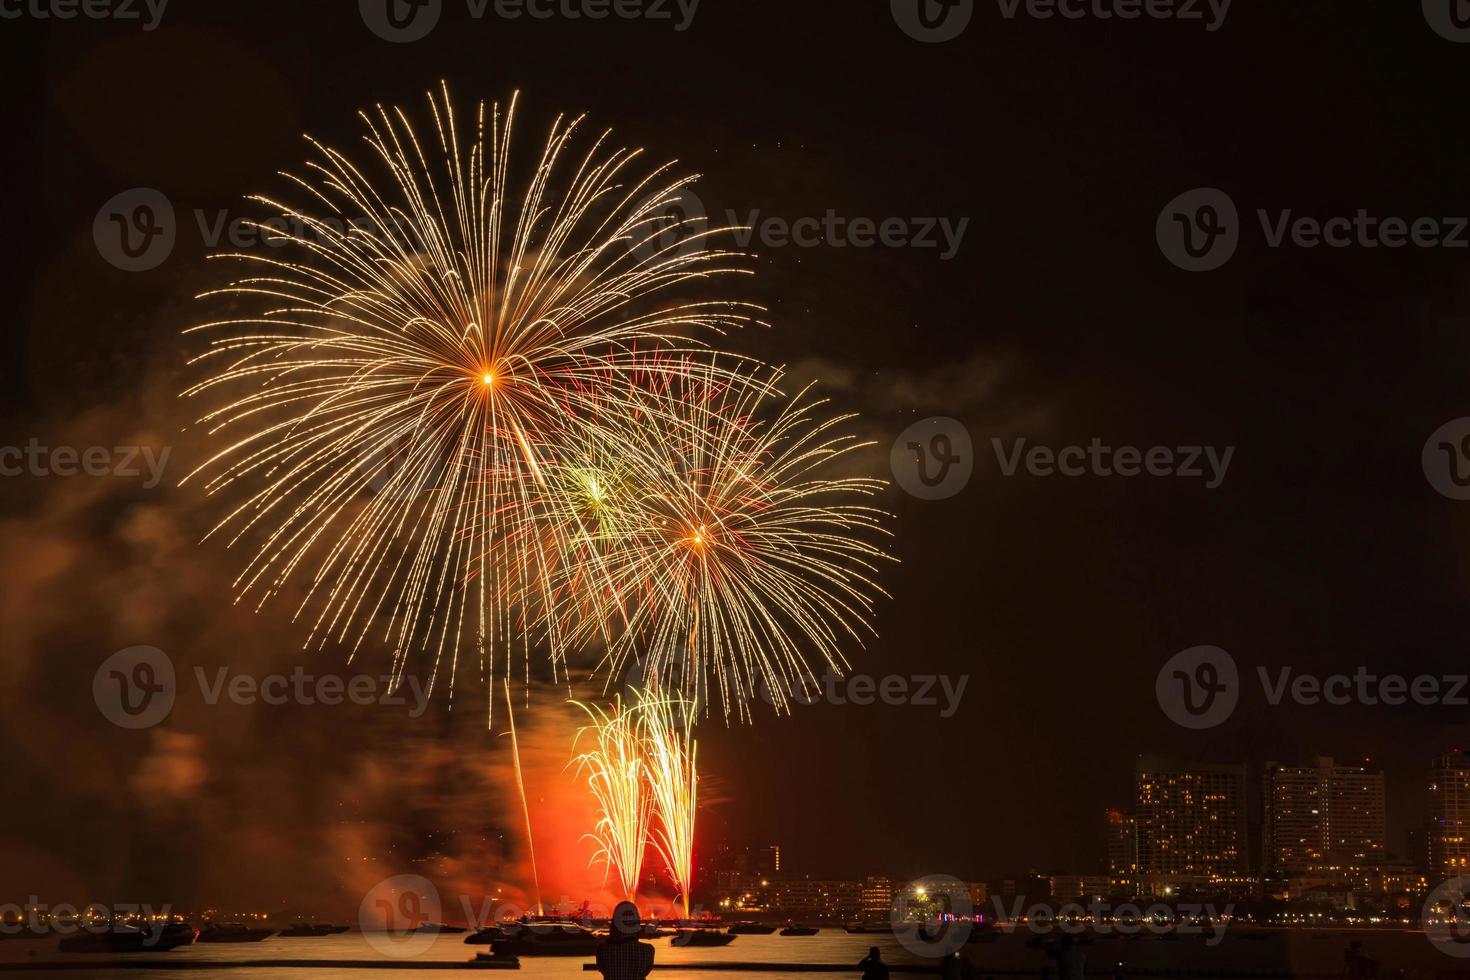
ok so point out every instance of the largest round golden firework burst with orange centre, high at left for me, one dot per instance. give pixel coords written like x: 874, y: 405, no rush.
x: 393, y: 381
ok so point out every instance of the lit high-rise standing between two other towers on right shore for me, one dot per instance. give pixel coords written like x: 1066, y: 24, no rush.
x: 1322, y: 815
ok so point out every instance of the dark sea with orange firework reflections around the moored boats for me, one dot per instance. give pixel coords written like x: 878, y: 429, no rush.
x: 1237, y: 954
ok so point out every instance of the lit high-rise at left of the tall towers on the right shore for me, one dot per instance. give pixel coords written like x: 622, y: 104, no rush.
x: 1190, y: 819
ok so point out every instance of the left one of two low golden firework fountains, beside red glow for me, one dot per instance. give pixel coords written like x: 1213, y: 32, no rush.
x: 615, y: 771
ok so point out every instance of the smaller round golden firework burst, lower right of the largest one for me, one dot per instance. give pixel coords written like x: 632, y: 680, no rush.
x: 709, y: 541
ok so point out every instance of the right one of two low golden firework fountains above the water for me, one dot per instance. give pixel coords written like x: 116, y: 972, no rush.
x: 670, y: 763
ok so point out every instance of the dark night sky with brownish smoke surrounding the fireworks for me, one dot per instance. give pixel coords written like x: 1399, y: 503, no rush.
x: 1058, y: 321
